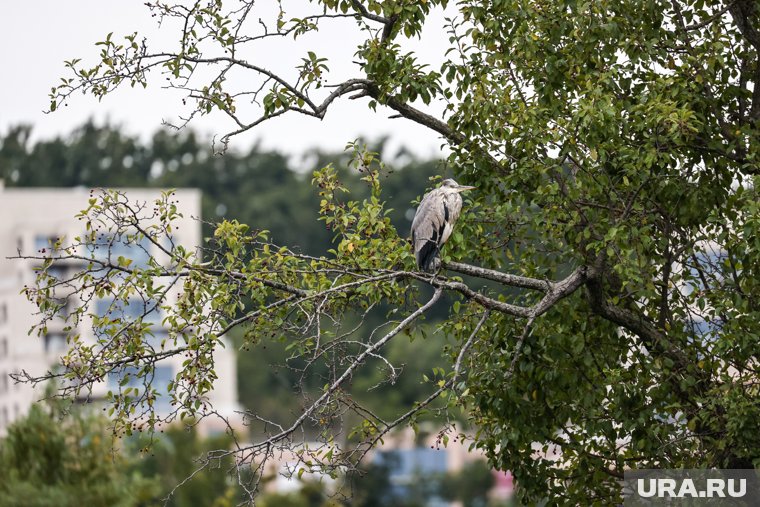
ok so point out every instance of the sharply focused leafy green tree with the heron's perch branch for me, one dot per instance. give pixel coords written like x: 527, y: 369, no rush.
x: 615, y: 148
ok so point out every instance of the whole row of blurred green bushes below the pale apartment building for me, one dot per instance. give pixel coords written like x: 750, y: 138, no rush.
x: 66, y: 457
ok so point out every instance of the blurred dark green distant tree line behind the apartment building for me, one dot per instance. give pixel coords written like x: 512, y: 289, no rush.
x: 256, y: 187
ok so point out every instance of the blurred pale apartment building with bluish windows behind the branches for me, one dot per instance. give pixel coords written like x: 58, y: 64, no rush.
x: 30, y: 220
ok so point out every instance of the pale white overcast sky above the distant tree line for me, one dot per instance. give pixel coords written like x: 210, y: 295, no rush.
x: 36, y: 36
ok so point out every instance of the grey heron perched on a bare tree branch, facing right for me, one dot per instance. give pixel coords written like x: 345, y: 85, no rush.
x: 434, y: 221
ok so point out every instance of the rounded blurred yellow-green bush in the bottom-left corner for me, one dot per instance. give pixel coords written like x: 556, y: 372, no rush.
x: 49, y: 459
